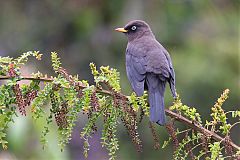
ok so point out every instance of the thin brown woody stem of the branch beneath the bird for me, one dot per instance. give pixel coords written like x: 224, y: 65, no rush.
x: 169, y: 113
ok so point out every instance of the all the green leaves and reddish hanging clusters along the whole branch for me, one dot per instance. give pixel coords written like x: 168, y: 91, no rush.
x: 66, y: 96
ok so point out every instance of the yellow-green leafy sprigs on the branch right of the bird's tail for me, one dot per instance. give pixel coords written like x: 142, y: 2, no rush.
x: 217, y: 124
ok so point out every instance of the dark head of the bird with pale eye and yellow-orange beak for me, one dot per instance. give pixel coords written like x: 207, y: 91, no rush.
x: 136, y: 29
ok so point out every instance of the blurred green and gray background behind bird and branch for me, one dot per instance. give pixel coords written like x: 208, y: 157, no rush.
x: 202, y: 37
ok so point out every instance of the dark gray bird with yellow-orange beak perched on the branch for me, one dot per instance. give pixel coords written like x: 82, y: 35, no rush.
x: 149, y: 66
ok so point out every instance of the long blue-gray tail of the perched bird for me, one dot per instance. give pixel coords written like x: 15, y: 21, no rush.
x: 156, y: 100
